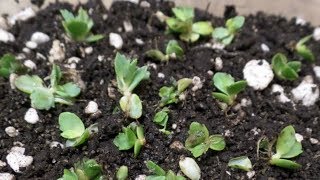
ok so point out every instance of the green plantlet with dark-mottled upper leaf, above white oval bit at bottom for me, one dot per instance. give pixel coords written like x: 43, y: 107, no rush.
x: 199, y: 141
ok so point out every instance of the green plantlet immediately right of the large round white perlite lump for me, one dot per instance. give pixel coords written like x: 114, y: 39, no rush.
x: 284, y: 69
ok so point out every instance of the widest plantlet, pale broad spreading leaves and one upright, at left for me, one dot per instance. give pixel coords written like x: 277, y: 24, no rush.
x: 43, y: 97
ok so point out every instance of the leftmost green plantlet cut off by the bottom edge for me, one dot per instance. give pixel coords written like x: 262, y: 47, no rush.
x: 87, y: 169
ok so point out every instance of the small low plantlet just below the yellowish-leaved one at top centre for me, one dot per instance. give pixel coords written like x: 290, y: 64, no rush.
x: 173, y: 51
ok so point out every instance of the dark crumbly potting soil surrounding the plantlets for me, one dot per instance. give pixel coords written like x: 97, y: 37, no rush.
x: 243, y: 128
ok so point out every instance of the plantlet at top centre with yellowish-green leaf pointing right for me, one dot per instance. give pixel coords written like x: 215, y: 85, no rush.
x: 183, y: 24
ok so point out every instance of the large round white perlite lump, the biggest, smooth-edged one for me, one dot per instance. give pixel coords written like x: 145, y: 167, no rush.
x: 258, y: 74
